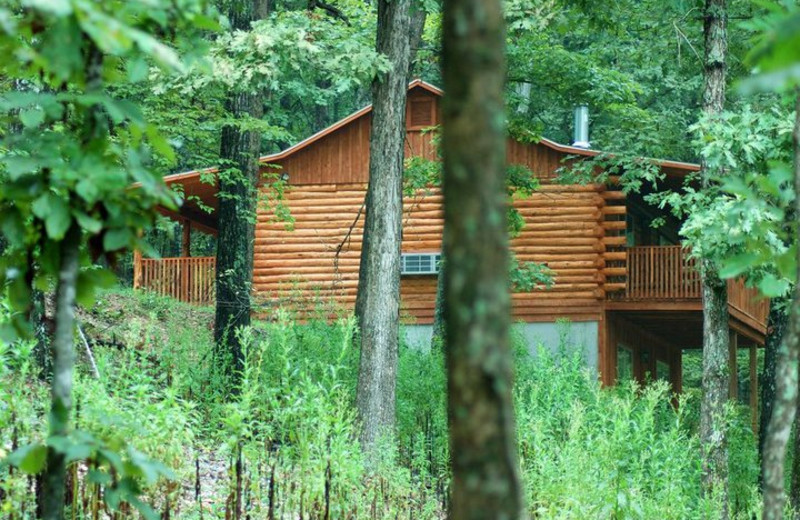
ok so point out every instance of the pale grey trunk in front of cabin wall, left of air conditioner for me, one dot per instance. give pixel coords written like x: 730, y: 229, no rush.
x: 378, y: 300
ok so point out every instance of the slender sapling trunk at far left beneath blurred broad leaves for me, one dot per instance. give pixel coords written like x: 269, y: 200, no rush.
x: 54, y: 477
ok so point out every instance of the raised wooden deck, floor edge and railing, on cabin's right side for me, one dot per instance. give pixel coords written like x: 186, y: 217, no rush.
x: 666, y: 278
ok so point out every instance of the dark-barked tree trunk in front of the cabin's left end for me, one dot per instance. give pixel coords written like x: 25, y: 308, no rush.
x: 239, y: 170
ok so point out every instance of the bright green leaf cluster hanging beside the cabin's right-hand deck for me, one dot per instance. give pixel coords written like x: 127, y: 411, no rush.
x: 744, y: 225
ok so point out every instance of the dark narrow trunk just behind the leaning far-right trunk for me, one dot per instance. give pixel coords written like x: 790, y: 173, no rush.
x: 776, y: 327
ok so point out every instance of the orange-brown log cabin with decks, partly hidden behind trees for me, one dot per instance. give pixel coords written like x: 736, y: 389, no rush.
x: 630, y: 292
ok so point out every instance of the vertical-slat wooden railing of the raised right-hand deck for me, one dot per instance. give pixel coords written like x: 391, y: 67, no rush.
x: 667, y: 273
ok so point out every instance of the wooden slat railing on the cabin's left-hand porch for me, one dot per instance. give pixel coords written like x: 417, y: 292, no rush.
x: 188, y: 279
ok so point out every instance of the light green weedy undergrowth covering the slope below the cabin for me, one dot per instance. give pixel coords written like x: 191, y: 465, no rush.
x: 284, y: 444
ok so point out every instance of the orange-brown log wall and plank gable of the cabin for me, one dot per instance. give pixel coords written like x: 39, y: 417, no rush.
x: 318, y: 260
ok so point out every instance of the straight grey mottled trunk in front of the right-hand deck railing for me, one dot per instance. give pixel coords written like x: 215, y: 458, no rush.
x: 713, y: 434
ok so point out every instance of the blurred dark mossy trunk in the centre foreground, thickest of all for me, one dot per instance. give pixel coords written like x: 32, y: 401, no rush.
x: 486, y: 482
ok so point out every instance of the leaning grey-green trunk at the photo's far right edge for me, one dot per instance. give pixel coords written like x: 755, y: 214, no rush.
x: 786, y: 380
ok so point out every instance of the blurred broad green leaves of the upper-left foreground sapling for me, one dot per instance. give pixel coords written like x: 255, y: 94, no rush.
x: 71, y: 149
